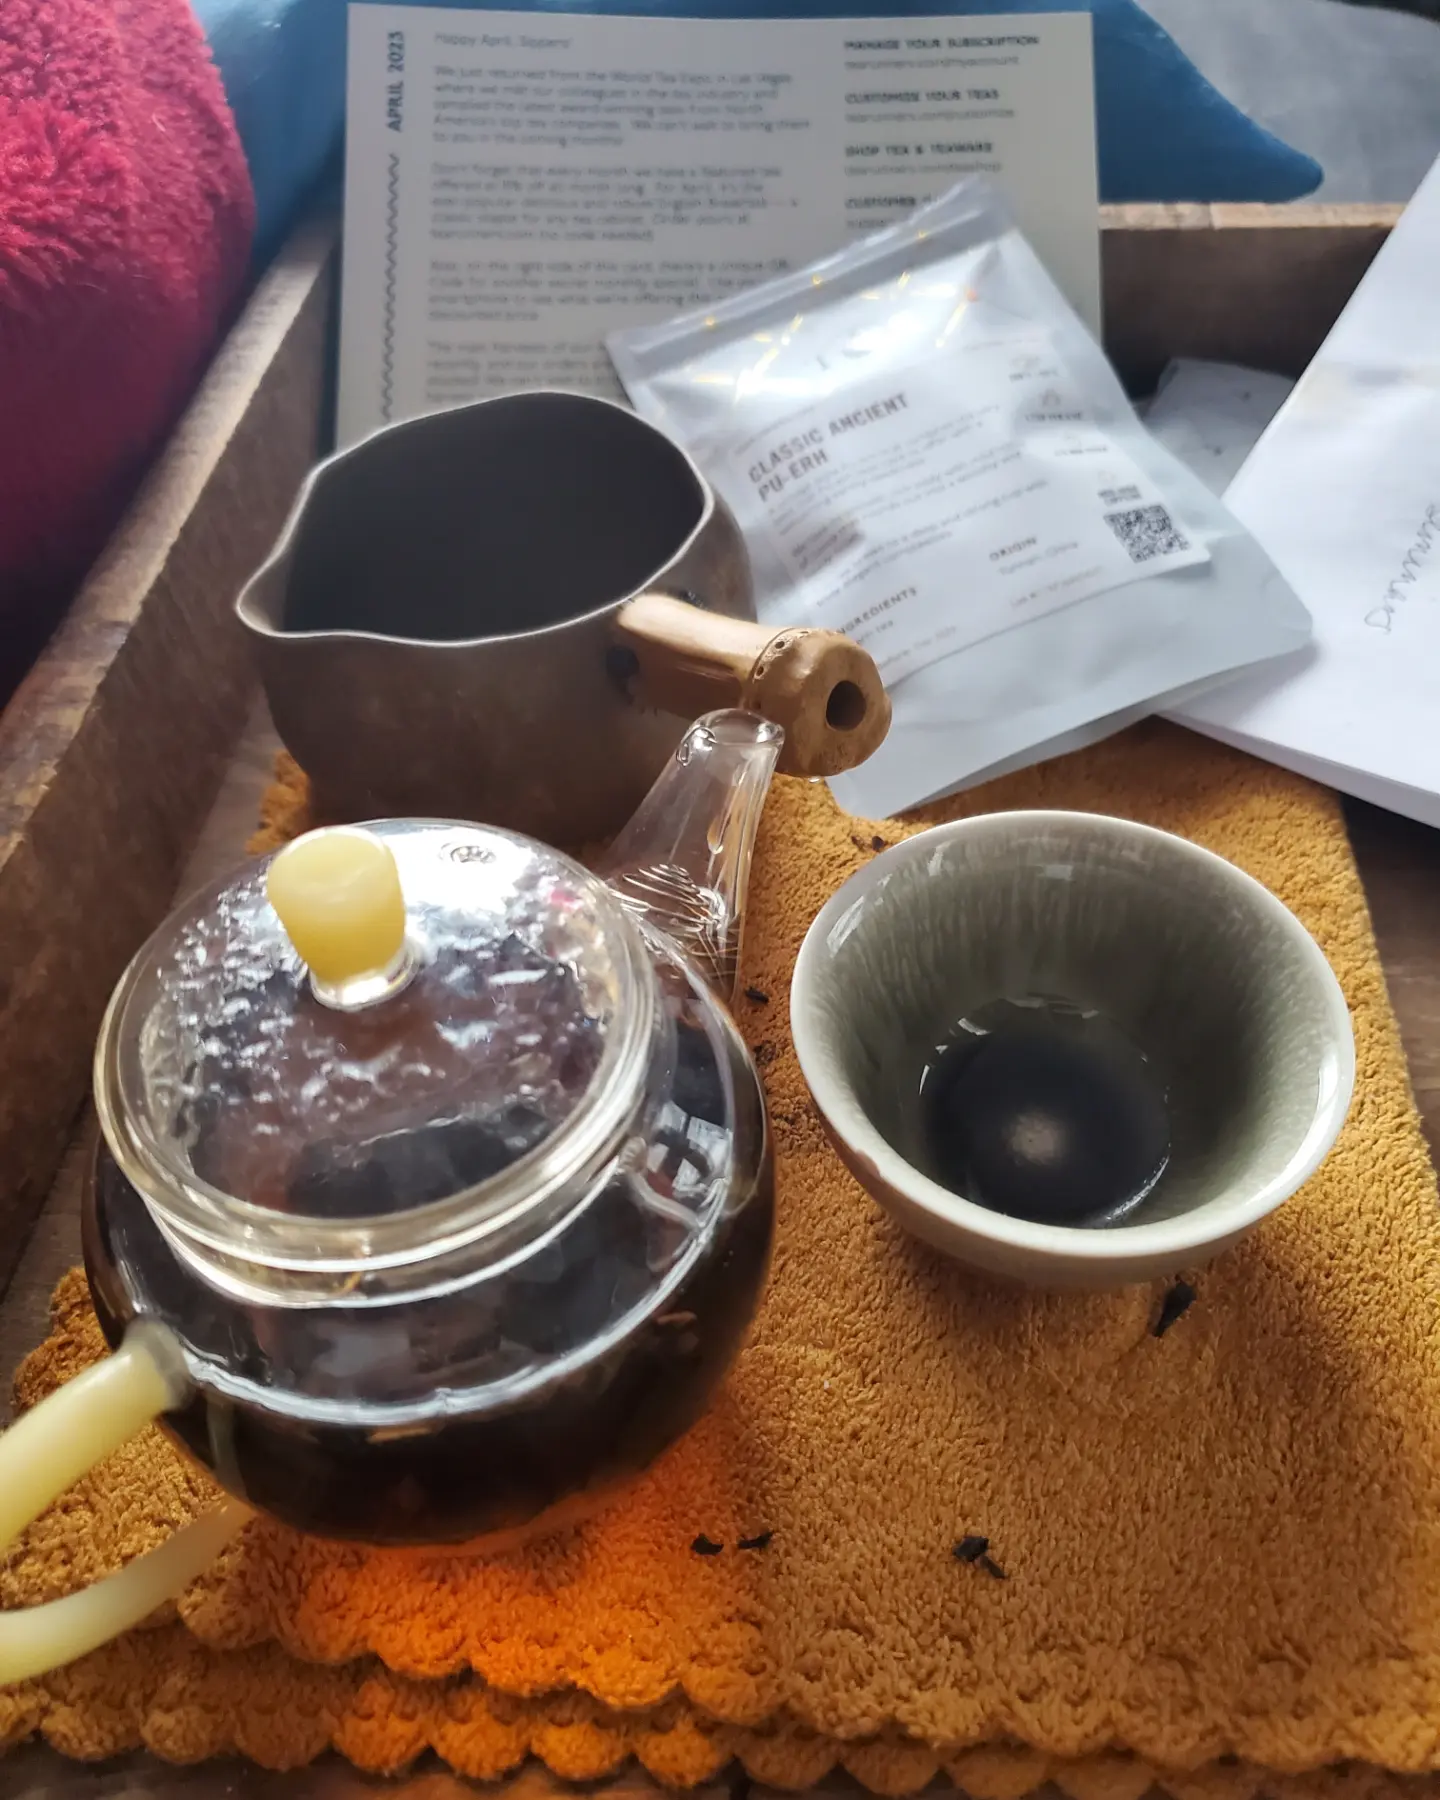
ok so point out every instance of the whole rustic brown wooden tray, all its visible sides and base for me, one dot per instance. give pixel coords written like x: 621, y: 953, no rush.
x: 112, y: 755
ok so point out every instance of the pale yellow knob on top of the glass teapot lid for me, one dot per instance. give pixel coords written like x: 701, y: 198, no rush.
x: 337, y: 894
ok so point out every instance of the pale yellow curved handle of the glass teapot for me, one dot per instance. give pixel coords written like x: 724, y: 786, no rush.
x: 51, y: 1448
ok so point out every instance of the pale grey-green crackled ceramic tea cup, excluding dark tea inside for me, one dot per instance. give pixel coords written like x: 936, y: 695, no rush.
x: 1216, y: 985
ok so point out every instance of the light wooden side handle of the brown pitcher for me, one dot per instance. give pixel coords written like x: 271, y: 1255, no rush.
x: 820, y: 687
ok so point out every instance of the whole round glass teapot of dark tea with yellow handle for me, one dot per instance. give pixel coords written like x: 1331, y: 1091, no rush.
x: 433, y: 1196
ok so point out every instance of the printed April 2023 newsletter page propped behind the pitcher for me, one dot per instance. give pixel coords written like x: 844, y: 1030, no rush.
x: 521, y: 184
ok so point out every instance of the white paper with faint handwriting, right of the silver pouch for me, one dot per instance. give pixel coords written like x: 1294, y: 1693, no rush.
x: 1344, y: 490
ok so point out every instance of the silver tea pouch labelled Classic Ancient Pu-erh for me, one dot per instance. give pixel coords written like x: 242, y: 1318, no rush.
x: 928, y: 451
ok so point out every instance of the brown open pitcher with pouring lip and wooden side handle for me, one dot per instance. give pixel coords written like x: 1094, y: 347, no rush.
x: 512, y: 611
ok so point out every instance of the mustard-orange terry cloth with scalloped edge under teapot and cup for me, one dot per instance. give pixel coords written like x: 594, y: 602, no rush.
x: 1216, y: 1522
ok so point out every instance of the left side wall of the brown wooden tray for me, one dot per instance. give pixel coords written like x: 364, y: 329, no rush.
x: 112, y: 750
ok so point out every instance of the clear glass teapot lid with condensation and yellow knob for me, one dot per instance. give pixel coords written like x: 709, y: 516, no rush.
x: 372, y: 1021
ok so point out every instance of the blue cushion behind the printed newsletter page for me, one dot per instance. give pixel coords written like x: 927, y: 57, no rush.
x: 1165, y: 132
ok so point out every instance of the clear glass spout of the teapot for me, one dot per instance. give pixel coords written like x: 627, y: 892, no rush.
x: 685, y: 861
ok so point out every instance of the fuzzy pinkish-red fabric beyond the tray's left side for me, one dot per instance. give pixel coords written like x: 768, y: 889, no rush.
x: 125, y: 233
